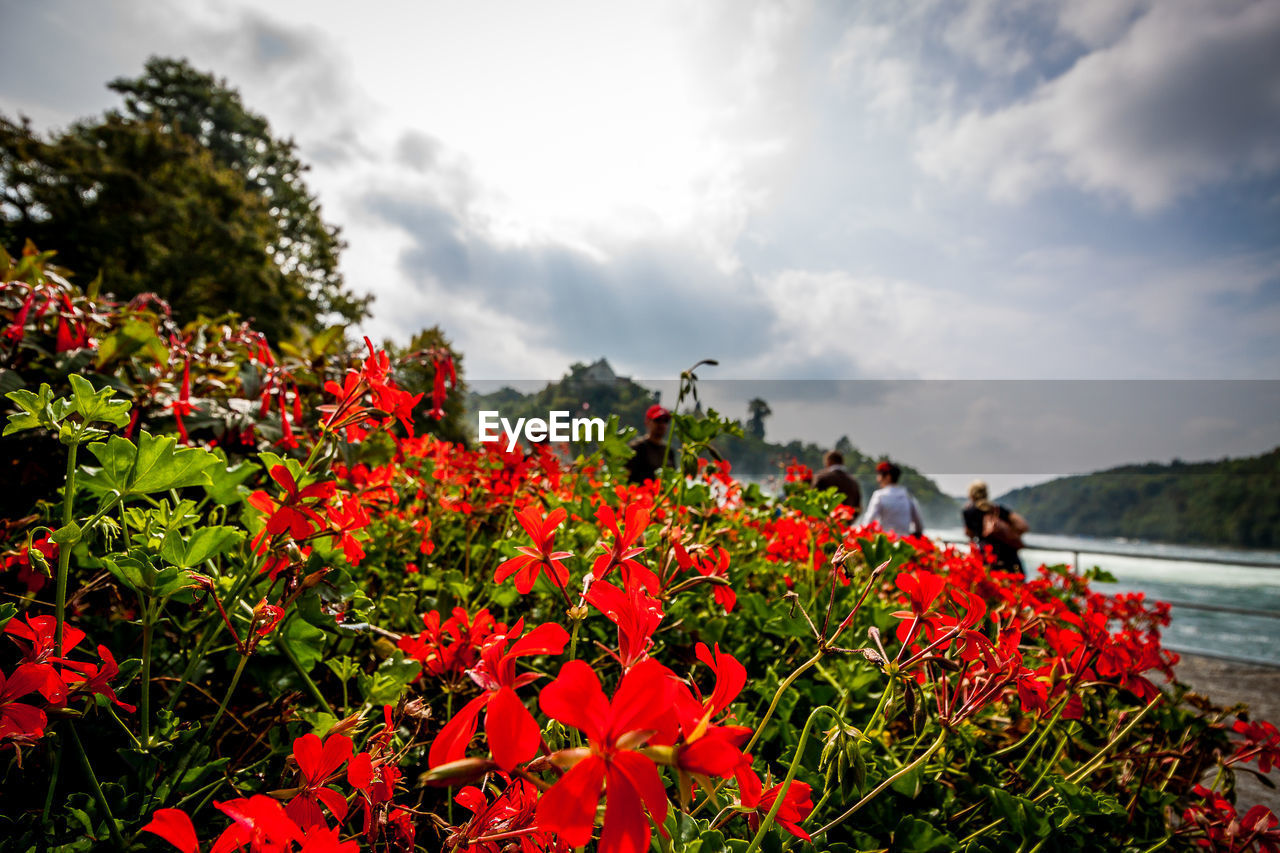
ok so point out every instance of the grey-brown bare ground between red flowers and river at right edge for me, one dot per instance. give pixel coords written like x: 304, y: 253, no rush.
x: 1229, y: 683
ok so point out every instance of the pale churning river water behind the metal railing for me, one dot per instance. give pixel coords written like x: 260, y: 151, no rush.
x: 1182, y: 574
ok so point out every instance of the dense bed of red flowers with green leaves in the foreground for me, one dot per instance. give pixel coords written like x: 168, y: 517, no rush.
x: 260, y: 612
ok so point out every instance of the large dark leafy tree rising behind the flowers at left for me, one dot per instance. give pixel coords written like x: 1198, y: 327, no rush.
x: 185, y: 194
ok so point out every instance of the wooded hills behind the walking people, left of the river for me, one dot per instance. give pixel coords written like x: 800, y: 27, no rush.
x: 596, y: 390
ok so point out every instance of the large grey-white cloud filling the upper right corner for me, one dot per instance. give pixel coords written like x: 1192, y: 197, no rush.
x: 1186, y: 99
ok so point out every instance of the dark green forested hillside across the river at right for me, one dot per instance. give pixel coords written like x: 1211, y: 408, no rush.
x: 1231, y: 503
